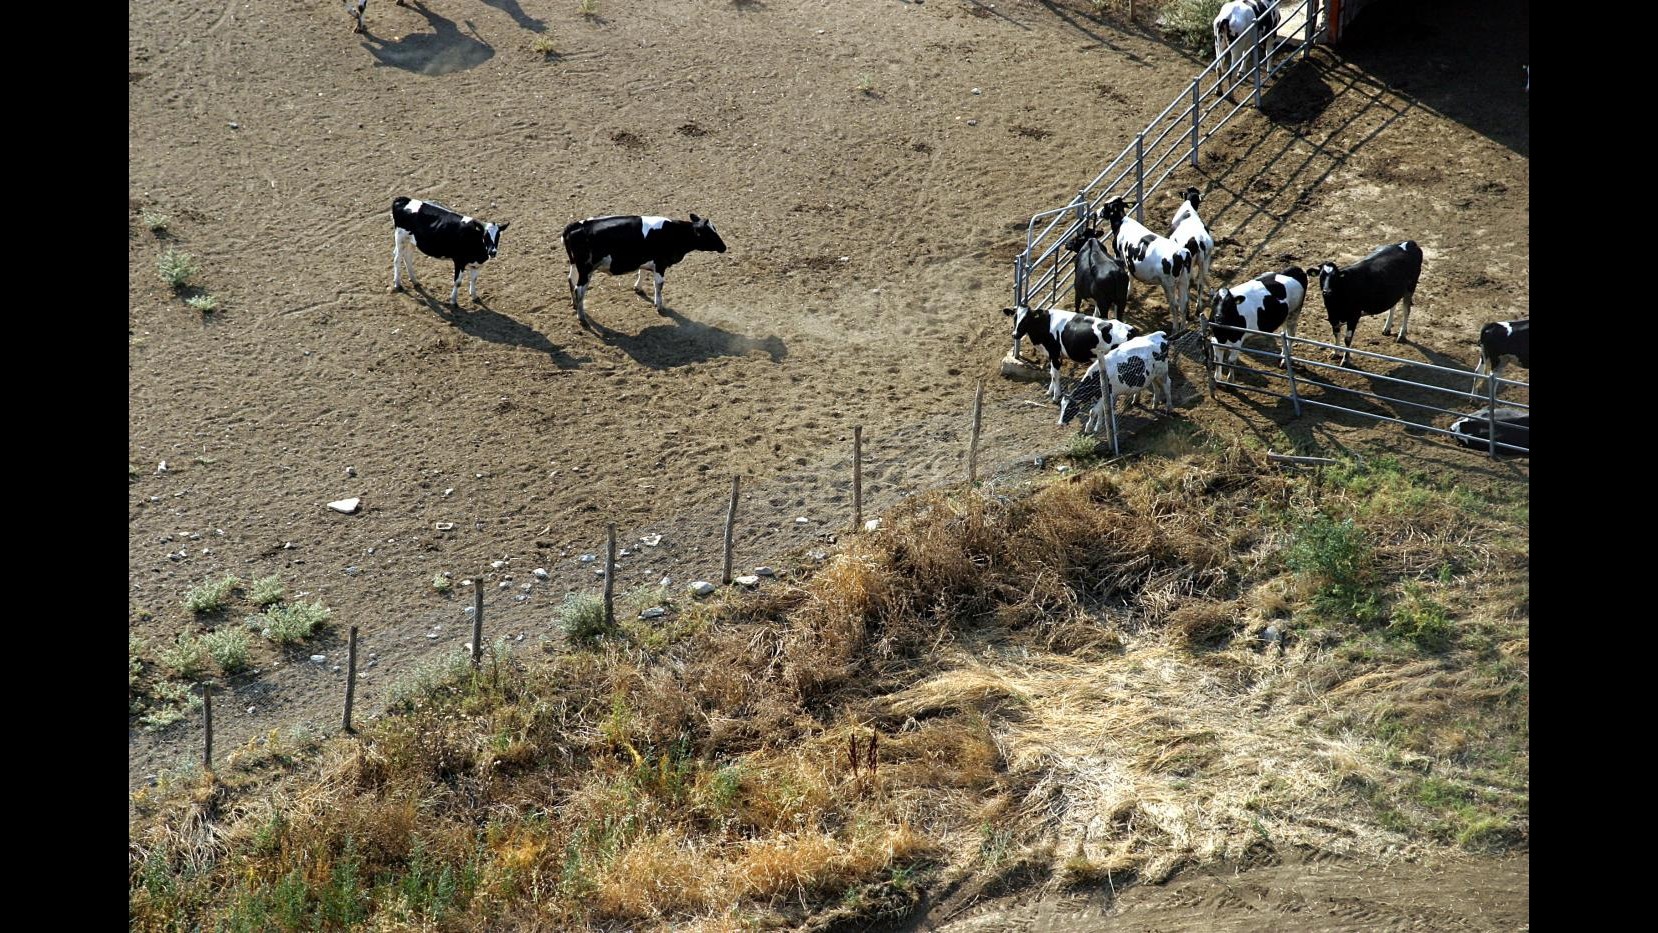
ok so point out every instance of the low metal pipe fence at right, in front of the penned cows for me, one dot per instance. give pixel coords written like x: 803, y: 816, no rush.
x: 1297, y: 384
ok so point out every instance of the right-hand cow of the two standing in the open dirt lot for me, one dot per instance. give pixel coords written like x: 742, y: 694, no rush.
x: 633, y: 244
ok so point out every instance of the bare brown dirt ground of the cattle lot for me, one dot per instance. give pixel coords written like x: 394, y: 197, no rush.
x: 871, y: 167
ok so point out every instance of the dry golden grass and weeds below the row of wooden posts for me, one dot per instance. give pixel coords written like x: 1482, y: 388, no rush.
x: 1062, y: 682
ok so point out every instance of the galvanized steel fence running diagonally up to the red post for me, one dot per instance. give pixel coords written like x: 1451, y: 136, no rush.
x: 1045, y: 268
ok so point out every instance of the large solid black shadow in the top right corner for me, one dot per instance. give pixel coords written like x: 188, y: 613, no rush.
x: 1460, y: 59
